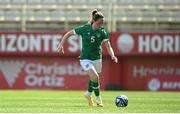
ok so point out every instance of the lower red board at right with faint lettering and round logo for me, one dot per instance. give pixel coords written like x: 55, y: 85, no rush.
x: 150, y: 73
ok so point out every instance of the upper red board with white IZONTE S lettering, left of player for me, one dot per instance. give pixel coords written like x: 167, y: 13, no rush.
x: 38, y: 44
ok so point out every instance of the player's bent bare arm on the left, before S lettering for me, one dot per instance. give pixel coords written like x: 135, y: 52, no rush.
x: 65, y: 37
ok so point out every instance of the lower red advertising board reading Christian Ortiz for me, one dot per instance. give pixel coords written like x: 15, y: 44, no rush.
x: 44, y: 73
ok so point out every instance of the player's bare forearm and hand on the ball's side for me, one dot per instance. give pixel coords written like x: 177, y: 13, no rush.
x: 110, y: 51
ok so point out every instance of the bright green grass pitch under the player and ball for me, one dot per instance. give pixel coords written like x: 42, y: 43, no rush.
x: 73, y: 101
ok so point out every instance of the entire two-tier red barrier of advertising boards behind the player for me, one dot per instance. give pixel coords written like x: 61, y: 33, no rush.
x: 147, y: 61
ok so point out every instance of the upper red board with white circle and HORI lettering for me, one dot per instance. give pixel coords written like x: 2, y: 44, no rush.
x: 146, y: 43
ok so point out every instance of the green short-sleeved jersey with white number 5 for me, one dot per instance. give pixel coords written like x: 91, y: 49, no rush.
x: 91, y: 41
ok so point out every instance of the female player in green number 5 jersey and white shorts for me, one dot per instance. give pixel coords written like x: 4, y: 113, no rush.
x: 93, y: 35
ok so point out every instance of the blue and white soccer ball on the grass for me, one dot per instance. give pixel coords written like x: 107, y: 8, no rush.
x: 121, y: 101
